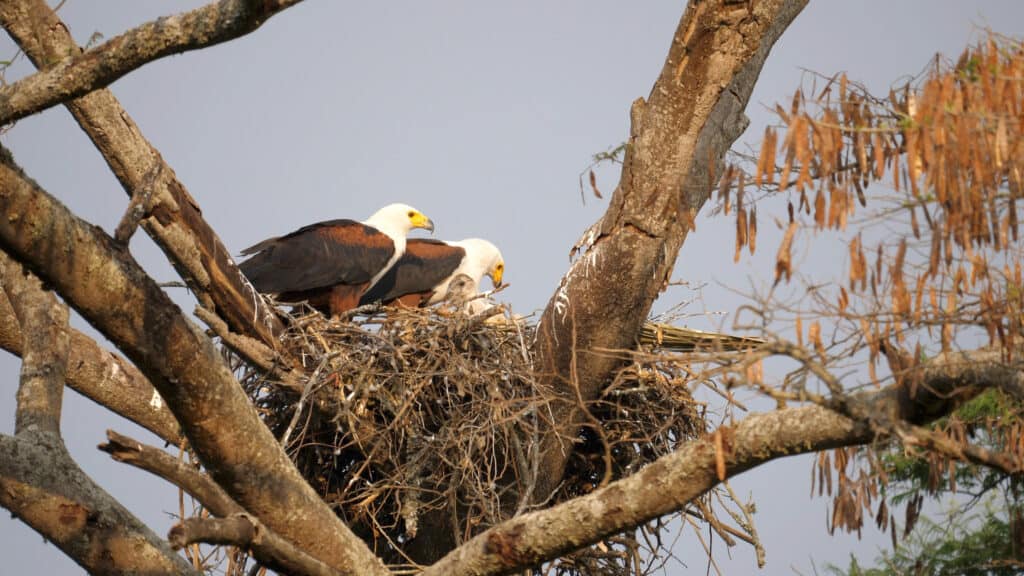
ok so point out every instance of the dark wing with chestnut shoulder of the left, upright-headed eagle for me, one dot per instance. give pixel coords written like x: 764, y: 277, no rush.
x: 318, y: 256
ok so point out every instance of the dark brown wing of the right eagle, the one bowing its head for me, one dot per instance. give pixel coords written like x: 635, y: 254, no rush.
x: 425, y: 264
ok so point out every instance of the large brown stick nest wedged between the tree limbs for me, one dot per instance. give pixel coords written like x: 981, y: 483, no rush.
x: 415, y: 422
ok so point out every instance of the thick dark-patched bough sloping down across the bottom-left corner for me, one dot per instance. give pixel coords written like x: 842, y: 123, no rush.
x: 44, y: 487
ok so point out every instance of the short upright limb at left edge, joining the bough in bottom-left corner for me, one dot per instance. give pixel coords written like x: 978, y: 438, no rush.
x: 46, y: 342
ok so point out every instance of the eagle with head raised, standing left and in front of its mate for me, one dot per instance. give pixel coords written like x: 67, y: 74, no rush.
x: 331, y: 265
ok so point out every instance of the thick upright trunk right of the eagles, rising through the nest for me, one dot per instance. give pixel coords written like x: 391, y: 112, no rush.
x: 677, y: 144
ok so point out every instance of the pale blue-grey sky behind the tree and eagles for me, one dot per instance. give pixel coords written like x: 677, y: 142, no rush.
x: 480, y: 114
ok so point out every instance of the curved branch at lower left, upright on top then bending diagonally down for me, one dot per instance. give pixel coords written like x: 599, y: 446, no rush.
x: 39, y: 482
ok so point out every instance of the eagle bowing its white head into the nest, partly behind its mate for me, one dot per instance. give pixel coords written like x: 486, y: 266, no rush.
x: 422, y: 275
